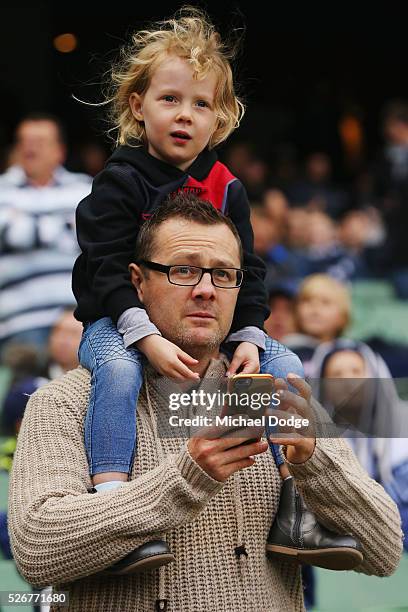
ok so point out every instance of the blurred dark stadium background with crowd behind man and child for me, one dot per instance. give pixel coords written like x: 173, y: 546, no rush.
x: 322, y: 152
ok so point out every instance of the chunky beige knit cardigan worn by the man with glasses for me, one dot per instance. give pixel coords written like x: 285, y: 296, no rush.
x: 64, y: 536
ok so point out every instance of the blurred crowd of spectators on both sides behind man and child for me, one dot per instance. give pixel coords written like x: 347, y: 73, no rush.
x: 316, y: 235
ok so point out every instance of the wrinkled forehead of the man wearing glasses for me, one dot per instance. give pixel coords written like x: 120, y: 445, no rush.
x: 179, y: 237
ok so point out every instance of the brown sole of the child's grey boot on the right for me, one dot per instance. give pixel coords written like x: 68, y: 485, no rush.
x: 328, y: 558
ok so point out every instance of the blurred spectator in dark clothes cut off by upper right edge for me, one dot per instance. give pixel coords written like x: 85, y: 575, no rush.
x: 390, y: 192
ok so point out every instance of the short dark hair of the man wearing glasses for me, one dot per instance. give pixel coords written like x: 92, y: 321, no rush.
x: 185, y: 206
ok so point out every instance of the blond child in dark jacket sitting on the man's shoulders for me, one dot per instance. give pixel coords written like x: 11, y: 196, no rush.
x: 174, y: 102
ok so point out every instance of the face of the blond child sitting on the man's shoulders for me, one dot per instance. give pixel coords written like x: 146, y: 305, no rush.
x: 175, y: 102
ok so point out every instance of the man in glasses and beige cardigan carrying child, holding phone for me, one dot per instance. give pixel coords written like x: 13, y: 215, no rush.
x: 212, y: 498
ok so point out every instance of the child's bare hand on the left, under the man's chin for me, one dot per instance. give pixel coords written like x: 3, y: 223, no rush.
x: 167, y: 358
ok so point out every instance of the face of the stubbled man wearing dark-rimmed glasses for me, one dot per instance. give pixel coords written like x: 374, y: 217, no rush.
x: 198, y: 318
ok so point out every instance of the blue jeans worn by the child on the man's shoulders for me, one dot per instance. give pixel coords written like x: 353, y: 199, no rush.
x: 116, y: 378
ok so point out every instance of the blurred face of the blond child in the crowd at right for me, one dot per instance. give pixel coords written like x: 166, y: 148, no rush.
x: 319, y: 315
